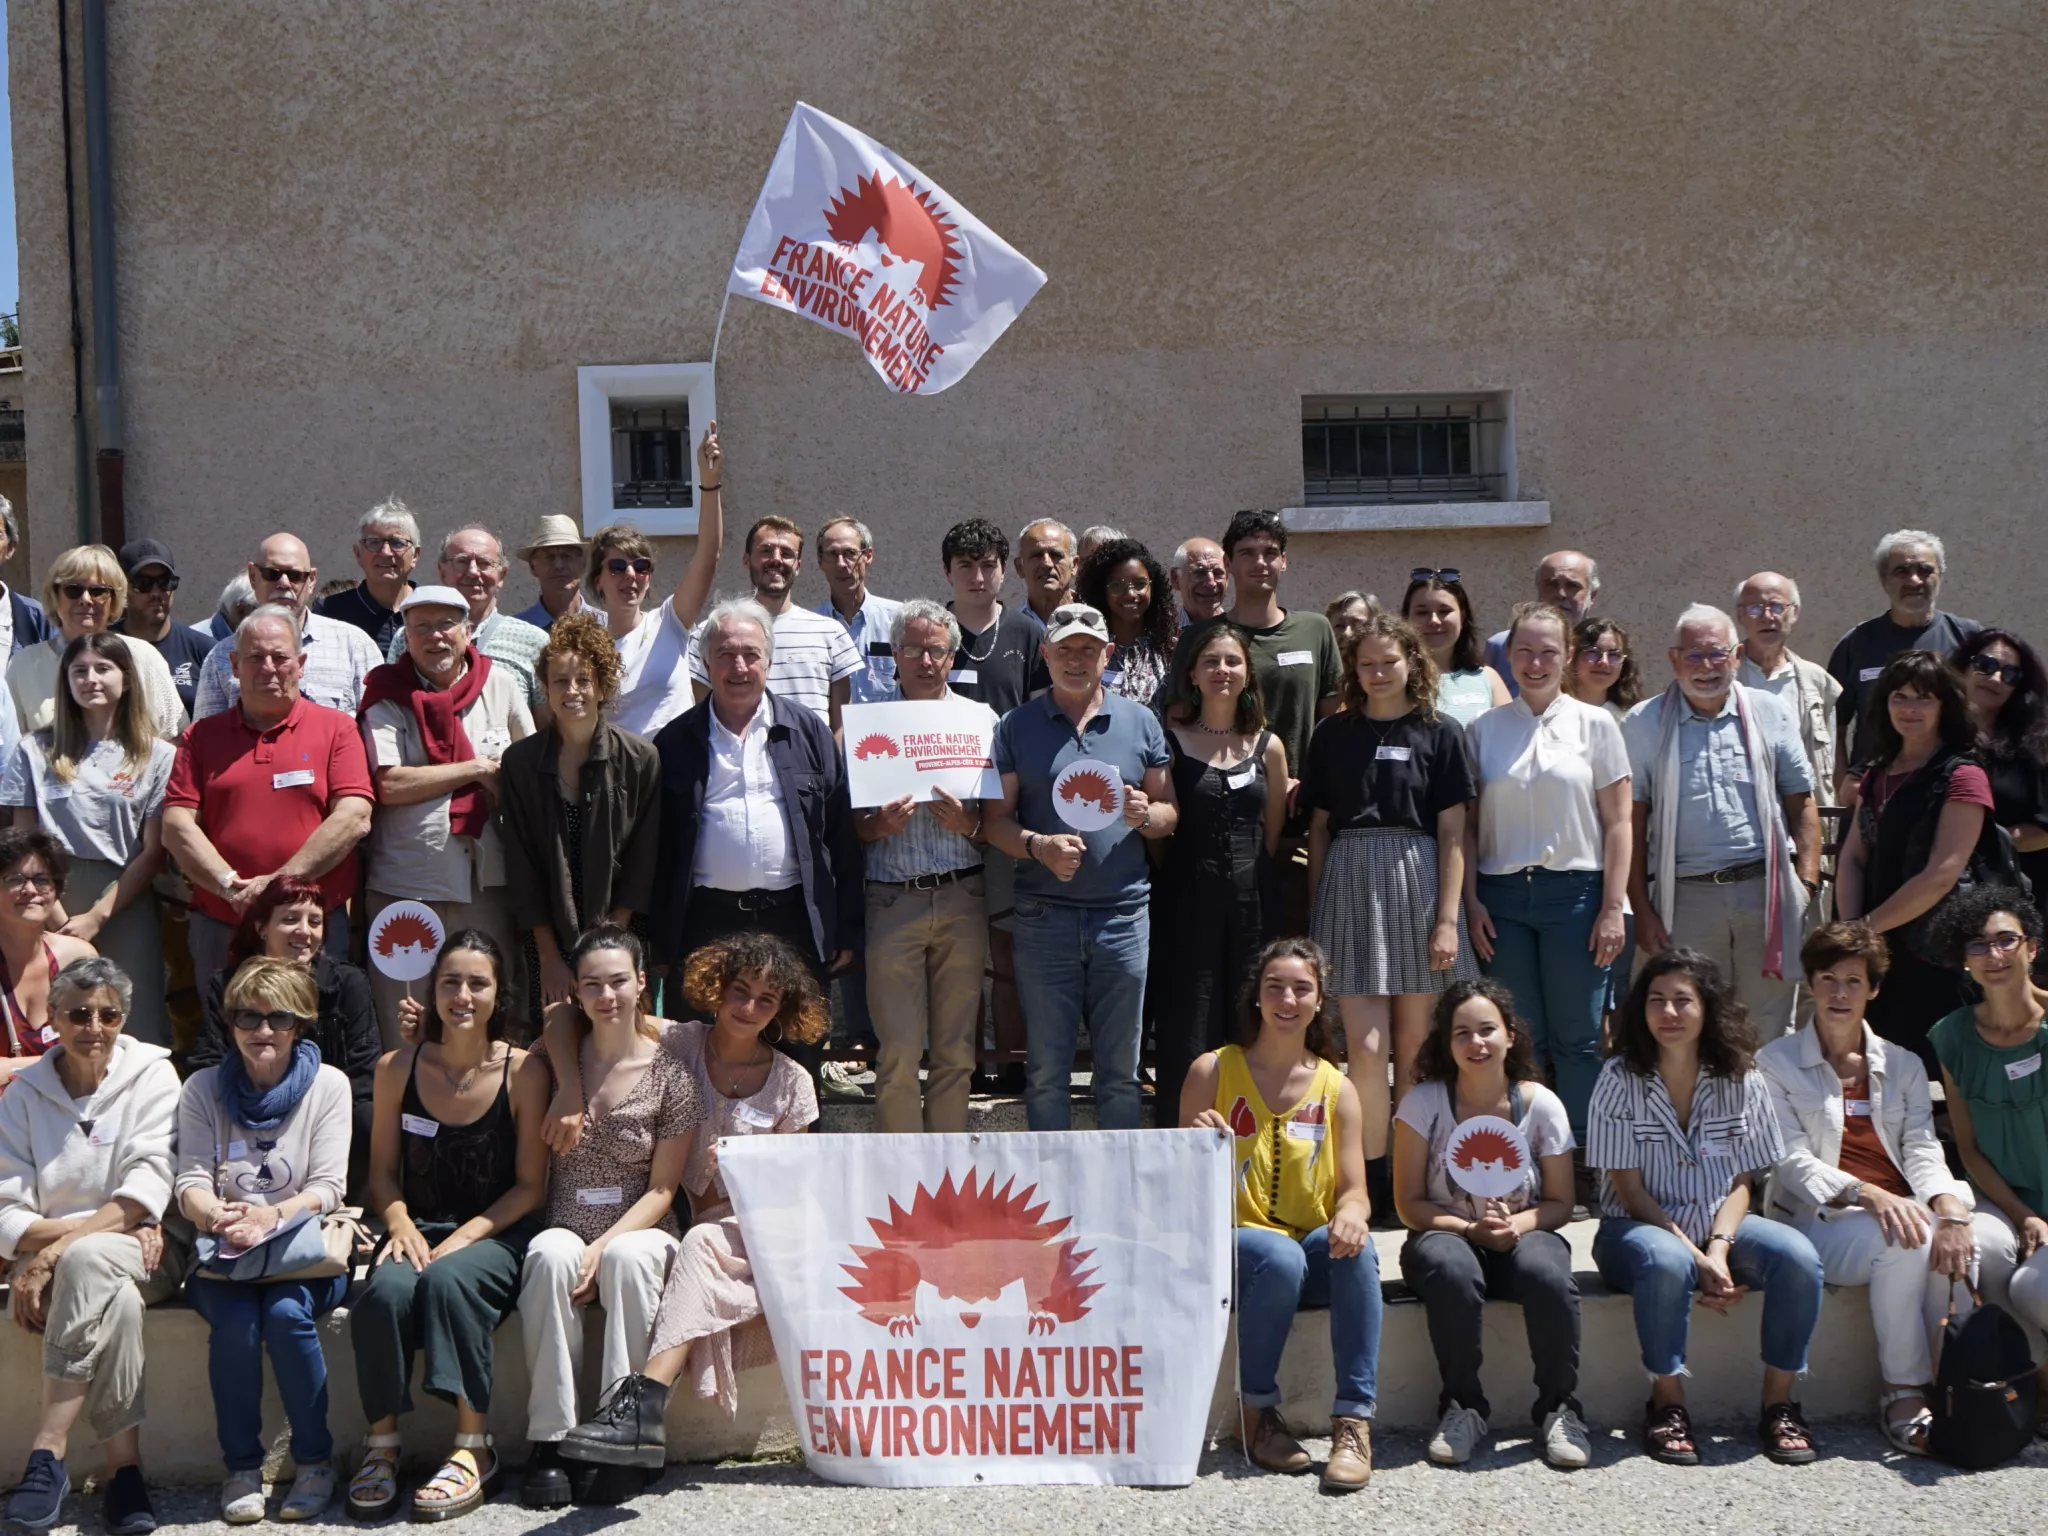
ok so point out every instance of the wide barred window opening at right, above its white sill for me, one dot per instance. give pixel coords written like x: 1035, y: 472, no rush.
x: 1416, y: 450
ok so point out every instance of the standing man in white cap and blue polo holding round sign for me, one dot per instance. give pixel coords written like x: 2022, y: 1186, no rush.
x: 1082, y: 773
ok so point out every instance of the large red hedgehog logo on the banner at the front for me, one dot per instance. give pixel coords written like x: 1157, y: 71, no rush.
x: 970, y: 1242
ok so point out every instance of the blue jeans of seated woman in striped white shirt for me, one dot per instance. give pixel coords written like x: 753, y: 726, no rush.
x: 1660, y: 1275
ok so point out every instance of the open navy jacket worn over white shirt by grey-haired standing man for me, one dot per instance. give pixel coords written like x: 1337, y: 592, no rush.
x: 814, y: 794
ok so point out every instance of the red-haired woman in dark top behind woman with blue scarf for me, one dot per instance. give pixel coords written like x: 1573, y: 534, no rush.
x: 288, y: 923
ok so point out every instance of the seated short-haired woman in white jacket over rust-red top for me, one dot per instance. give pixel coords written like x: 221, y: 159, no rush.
x: 1865, y: 1177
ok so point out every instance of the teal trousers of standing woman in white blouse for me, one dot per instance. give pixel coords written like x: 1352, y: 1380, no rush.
x: 1543, y: 923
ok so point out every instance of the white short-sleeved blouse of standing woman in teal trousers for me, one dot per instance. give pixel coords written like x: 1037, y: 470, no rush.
x: 1537, y: 781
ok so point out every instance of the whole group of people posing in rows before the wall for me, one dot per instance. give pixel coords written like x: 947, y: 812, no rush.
x: 1371, y: 835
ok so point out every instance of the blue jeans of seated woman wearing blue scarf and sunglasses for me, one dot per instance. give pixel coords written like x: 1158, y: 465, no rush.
x: 282, y: 1316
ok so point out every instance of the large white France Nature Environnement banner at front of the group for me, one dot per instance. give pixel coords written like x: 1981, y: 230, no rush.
x: 970, y: 1310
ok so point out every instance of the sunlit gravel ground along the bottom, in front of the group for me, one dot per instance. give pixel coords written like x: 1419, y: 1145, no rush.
x: 1859, y: 1488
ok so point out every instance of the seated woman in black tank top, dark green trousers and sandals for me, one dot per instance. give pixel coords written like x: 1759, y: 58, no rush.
x: 458, y: 1177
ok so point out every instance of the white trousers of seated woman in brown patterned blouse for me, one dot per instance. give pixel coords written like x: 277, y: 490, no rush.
x: 630, y: 1291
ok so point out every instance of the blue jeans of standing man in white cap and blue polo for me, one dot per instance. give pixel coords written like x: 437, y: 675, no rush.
x: 1080, y: 964
